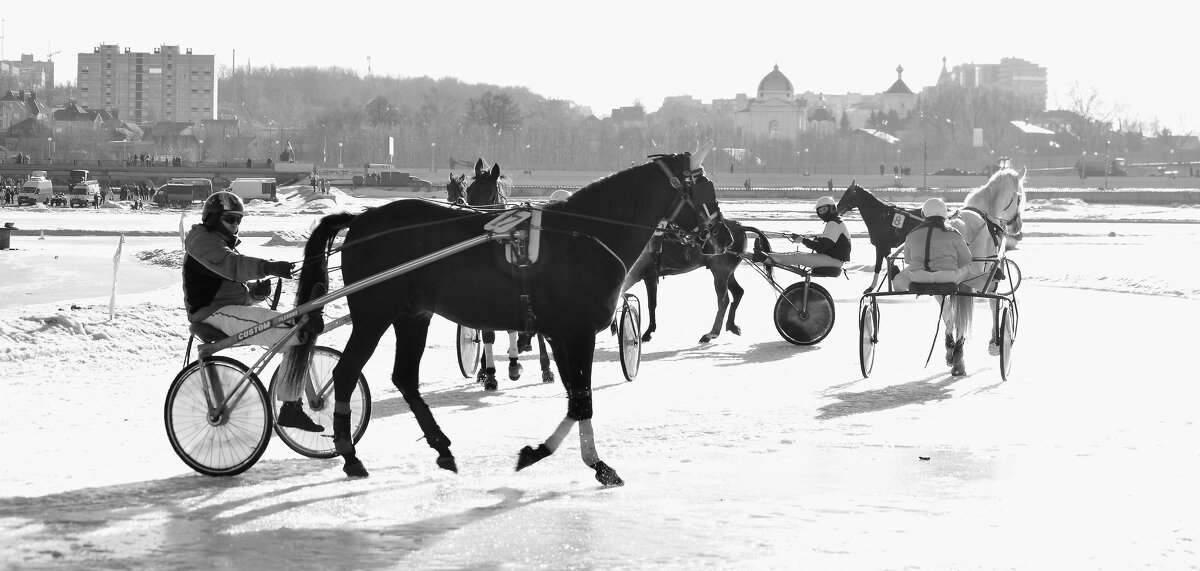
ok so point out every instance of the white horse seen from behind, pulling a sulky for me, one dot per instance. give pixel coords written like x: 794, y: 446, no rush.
x: 988, y: 214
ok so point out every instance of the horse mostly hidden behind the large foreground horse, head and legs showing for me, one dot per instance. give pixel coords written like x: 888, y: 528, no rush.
x: 496, y: 194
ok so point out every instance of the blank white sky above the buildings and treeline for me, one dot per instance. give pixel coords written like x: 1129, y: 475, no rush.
x: 1139, y: 57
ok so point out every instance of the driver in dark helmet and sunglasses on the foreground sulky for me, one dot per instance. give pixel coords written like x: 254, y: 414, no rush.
x: 217, y: 291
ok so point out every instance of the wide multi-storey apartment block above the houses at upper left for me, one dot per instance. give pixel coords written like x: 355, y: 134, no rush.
x: 165, y: 86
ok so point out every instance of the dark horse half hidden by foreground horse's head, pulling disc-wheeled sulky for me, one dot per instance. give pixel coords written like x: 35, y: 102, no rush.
x: 667, y: 257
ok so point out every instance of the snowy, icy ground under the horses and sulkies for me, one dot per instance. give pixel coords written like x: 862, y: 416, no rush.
x: 747, y: 453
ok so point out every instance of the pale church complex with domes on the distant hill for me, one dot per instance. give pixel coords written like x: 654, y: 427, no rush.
x: 779, y: 113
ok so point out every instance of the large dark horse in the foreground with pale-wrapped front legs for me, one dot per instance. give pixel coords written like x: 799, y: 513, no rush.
x: 569, y: 294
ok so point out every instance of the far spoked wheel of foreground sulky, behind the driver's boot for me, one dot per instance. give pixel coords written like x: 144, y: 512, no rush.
x: 319, y: 405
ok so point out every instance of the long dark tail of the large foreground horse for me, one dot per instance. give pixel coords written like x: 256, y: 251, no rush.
x: 314, y: 284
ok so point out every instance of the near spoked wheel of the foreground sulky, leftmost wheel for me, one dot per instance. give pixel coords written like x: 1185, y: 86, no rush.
x: 213, y: 441
